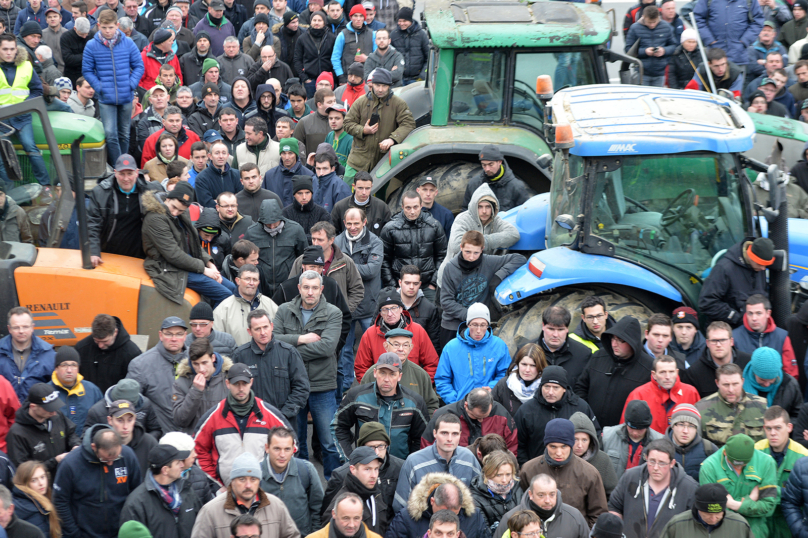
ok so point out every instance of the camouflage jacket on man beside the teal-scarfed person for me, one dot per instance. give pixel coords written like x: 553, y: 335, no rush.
x: 720, y: 420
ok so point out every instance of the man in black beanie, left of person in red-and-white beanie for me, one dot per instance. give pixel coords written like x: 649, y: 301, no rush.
x: 625, y: 443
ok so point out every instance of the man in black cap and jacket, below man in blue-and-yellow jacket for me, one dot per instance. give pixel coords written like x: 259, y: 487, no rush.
x: 41, y: 432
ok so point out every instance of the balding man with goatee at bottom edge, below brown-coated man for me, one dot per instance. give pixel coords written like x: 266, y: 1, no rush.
x: 545, y: 500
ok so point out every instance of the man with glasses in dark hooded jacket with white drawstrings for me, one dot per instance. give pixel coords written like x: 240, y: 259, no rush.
x: 650, y: 495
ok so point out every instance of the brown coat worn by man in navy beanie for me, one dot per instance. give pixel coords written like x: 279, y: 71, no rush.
x: 578, y: 481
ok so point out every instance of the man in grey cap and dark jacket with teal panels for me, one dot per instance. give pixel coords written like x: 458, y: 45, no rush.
x: 389, y: 403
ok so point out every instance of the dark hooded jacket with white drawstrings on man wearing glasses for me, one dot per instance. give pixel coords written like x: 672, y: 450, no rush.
x: 631, y: 497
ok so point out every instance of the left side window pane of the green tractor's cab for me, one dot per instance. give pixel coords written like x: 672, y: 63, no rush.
x: 478, y: 85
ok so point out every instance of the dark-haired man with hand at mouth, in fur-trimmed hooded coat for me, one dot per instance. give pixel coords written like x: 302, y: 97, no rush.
x: 199, y: 384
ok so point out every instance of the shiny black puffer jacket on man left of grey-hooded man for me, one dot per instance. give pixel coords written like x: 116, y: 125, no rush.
x: 420, y: 242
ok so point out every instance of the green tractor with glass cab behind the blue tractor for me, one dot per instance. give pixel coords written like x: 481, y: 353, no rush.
x: 480, y: 89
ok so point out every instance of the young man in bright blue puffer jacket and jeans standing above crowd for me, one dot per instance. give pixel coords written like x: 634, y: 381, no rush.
x: 113, y: 66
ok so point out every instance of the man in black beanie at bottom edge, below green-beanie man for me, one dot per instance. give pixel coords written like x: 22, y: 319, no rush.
x: 708, y: 518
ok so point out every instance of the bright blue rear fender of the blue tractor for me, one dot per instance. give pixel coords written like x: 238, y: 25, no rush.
x: 564, y: 267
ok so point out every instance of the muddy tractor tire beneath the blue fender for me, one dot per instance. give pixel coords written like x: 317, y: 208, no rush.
x: 524, y: 326
